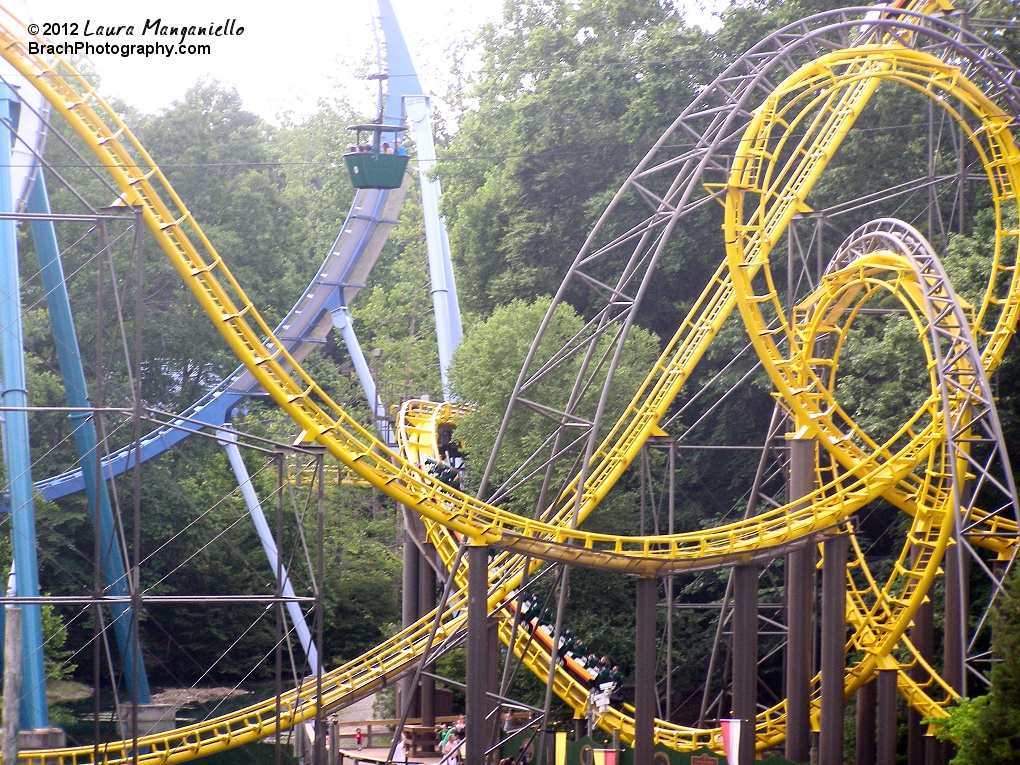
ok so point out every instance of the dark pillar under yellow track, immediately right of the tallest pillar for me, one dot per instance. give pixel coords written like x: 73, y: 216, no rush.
x: 834, y: 649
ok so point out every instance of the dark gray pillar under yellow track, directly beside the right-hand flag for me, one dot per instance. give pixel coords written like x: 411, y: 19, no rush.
x: 745, y: 621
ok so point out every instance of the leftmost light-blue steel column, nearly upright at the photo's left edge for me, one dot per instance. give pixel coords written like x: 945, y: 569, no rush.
x: 18, y: 458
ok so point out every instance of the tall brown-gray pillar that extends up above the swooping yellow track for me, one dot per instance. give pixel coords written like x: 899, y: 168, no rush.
x: 800, y: 613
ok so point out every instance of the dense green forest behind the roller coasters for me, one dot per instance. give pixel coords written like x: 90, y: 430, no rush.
x: 569, y: 98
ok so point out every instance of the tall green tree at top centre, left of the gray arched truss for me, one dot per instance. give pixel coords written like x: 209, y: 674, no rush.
x: 571, y: 97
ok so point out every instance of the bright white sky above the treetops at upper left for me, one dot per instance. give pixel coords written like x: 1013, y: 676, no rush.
x: 290, y: 56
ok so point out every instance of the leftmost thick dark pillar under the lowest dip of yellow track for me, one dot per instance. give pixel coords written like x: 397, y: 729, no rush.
x: 477, y: 674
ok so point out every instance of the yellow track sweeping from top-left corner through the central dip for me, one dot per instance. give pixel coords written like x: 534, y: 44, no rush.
x: 251, y: 339
